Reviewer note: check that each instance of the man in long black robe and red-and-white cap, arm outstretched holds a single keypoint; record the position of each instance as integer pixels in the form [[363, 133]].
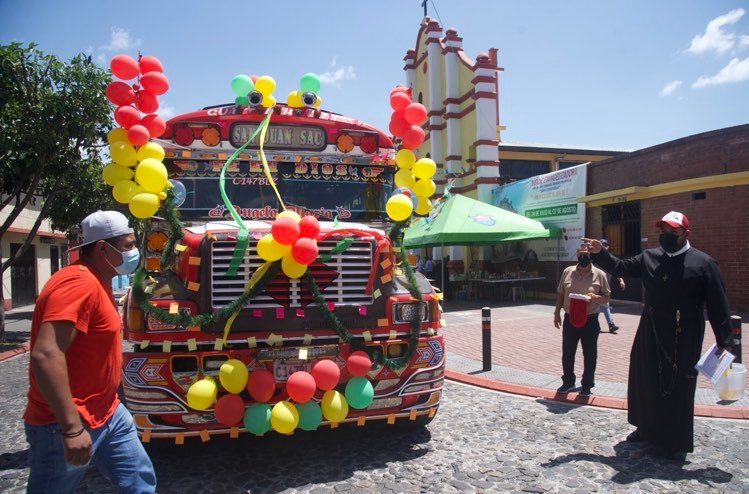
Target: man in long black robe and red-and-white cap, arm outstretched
[[680, 282]]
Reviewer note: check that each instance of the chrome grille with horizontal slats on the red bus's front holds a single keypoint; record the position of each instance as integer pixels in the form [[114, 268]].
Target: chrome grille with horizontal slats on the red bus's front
[[343, 278]]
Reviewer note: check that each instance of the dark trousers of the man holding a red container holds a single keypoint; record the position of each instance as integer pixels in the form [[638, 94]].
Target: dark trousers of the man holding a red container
[[588, 336]]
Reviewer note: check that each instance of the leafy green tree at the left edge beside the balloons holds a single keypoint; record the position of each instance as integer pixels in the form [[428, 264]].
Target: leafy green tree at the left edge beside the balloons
[[54, 117]]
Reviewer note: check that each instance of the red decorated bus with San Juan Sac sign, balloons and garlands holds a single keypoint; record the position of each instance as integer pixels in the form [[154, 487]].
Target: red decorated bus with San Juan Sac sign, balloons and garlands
[[274, 294]]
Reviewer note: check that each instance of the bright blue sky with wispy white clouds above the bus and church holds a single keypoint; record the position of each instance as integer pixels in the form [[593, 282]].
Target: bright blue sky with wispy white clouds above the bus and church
[[623, 74]]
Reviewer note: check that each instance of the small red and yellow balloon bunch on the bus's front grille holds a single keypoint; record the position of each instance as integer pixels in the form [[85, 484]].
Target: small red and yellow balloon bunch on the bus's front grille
[[293, 239]]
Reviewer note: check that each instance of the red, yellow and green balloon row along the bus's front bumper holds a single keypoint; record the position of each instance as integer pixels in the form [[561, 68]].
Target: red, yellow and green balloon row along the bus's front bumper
[[300, 410]]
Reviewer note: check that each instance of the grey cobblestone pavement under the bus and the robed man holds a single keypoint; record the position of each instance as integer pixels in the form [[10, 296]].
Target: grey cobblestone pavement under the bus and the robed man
[[480, 441]]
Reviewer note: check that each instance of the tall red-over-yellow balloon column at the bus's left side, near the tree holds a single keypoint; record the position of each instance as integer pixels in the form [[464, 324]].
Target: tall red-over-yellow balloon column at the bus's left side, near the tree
[[137, 175]]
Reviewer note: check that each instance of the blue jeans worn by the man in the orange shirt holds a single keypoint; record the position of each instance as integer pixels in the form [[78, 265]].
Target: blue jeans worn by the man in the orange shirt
[[117, 452]]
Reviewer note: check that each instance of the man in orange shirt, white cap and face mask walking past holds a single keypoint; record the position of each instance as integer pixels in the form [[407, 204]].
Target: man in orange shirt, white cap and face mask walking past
[[73, 414]]
